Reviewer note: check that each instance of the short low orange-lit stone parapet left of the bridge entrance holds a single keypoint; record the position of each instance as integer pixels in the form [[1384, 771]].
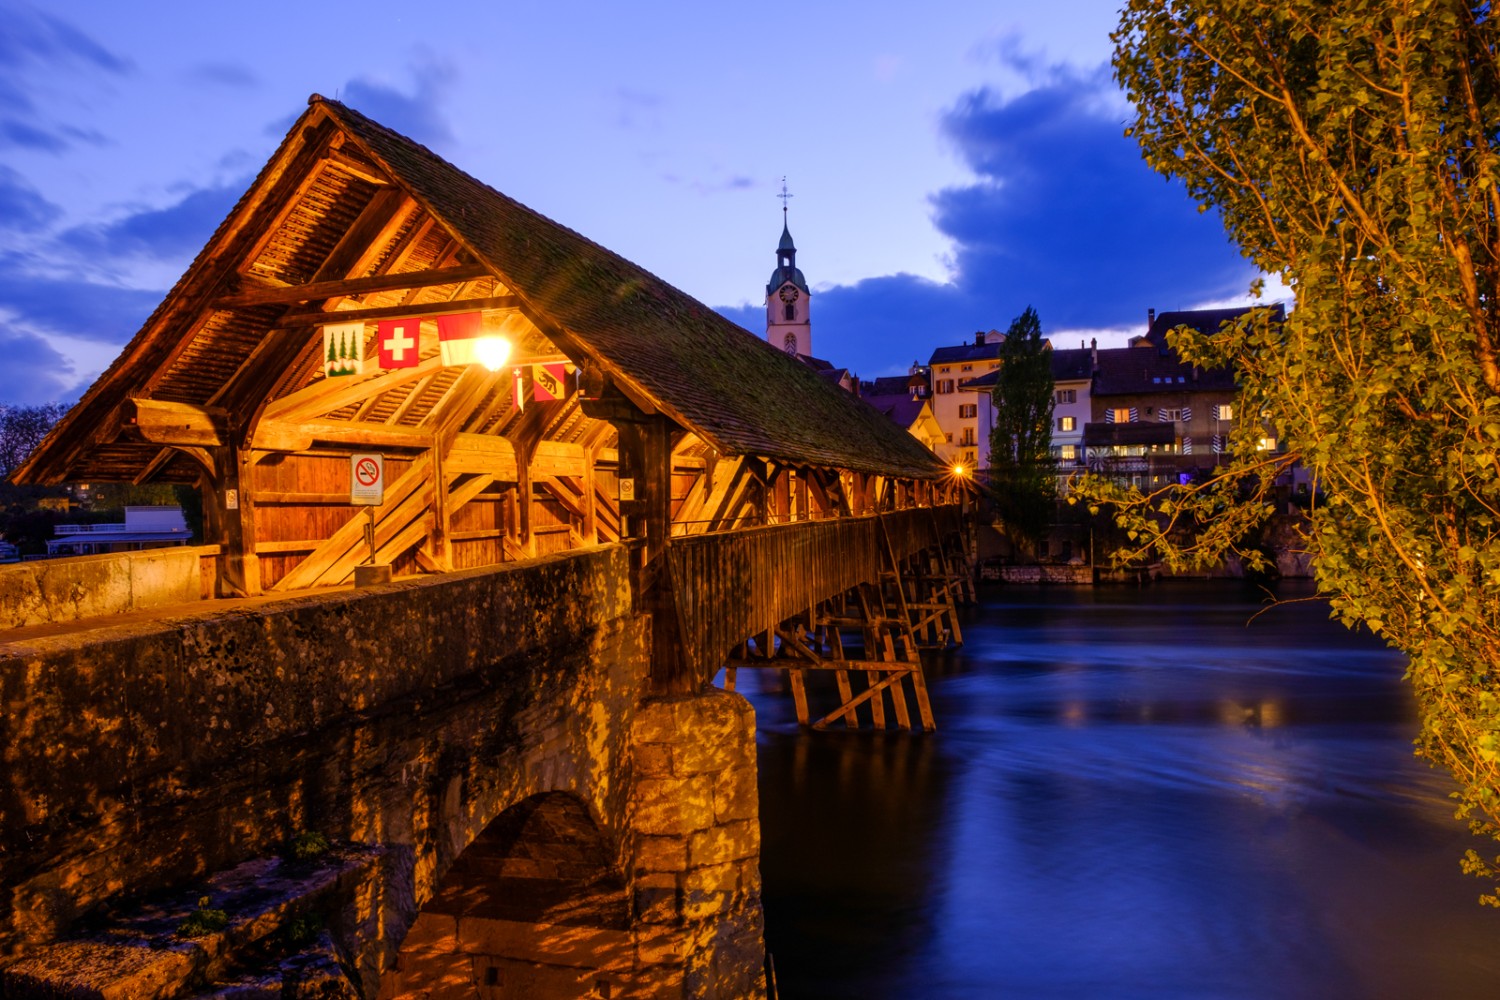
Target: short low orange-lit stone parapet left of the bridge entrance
[[88, 587]]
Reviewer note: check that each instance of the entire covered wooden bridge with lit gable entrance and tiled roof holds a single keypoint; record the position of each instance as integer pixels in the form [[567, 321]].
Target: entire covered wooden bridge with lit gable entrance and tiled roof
[[337, 313]]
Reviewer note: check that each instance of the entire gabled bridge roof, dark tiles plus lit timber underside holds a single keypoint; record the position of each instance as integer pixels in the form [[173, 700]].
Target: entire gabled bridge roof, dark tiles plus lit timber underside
[[350, 220]]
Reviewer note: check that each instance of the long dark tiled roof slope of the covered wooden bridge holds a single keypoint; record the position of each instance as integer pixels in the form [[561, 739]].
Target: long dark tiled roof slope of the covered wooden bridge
[[727, 385]]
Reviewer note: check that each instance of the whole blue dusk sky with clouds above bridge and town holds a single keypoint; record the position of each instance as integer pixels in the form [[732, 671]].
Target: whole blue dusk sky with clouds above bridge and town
[[950, 164]]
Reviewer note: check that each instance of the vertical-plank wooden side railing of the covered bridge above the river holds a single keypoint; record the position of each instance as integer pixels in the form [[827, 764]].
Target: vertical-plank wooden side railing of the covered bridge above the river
[[736, 584]]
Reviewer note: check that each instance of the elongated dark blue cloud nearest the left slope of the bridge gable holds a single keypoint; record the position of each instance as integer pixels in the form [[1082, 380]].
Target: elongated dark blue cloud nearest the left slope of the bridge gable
[[173, 233]]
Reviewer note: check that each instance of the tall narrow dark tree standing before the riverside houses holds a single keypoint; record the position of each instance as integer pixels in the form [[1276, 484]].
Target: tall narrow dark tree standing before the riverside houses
[[1021, 460]]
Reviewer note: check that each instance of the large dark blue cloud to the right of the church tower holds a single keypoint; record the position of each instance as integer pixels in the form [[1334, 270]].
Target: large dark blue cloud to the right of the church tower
[[1063, 215]]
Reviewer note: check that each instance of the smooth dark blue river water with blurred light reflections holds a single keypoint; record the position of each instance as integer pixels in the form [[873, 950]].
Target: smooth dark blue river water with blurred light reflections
[[1132, 794]]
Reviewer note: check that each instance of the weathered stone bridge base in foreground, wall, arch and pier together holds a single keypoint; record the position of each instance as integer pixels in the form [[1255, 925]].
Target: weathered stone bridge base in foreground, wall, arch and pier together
[[511, 812]]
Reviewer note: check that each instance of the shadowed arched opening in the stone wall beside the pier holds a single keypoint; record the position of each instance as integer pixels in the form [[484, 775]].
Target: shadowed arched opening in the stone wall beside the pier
[[533, 908]]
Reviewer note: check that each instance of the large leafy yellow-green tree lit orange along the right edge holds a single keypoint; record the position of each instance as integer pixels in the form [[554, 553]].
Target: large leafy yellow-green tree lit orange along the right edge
[[1354, 149]]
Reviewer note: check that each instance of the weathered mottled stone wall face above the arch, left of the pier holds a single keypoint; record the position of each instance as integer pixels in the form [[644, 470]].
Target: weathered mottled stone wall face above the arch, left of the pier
[[409, 716]]
